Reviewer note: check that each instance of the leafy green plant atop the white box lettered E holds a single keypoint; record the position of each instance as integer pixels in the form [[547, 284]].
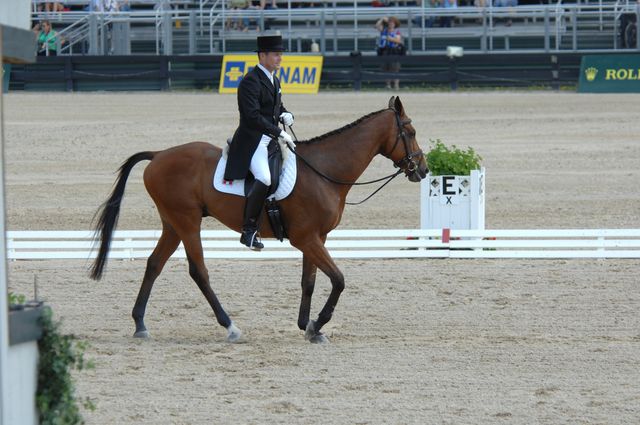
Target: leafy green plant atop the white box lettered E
[[443, 160]]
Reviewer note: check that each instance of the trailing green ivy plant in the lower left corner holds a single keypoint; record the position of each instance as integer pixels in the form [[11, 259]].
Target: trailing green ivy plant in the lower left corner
[[59, 354]]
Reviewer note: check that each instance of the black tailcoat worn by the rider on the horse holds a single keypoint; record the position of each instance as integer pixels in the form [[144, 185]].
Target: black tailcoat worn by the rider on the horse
[[260, 106]]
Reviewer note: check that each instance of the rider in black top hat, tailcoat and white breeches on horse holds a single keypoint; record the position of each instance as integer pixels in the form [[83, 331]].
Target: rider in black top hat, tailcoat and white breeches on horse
[[260, 106]]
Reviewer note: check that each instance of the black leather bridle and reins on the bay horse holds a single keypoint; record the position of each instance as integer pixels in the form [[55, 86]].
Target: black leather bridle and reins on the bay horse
[[411, 164]]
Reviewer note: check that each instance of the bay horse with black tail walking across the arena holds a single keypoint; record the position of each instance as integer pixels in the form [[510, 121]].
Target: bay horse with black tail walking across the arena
[[179, 180]]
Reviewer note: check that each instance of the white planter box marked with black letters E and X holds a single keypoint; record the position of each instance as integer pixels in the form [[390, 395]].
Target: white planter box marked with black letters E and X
[[452, 202]]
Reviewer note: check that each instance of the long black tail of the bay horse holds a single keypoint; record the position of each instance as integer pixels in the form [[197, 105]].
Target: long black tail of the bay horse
[[110, 210]]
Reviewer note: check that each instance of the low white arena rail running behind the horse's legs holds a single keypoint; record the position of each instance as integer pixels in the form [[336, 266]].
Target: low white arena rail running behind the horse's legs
[[401, 243]]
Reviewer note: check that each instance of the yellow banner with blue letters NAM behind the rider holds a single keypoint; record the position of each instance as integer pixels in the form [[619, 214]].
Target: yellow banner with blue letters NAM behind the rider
[[297, 74]]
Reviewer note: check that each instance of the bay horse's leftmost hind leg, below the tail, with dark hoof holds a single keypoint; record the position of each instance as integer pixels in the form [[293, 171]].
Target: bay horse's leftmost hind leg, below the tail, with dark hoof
[[166, 246]]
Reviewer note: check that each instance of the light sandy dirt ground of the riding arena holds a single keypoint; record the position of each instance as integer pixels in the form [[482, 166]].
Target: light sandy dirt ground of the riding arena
[[412, 341]]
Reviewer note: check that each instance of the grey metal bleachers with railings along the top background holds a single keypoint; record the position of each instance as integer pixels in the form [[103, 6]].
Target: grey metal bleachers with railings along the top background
[[338, 27]]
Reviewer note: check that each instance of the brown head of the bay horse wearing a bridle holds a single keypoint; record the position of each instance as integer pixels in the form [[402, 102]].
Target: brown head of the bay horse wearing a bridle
[[403, 149]]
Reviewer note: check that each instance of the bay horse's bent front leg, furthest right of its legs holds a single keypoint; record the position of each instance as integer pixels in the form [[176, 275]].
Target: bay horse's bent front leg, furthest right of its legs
[[319, 255]]
